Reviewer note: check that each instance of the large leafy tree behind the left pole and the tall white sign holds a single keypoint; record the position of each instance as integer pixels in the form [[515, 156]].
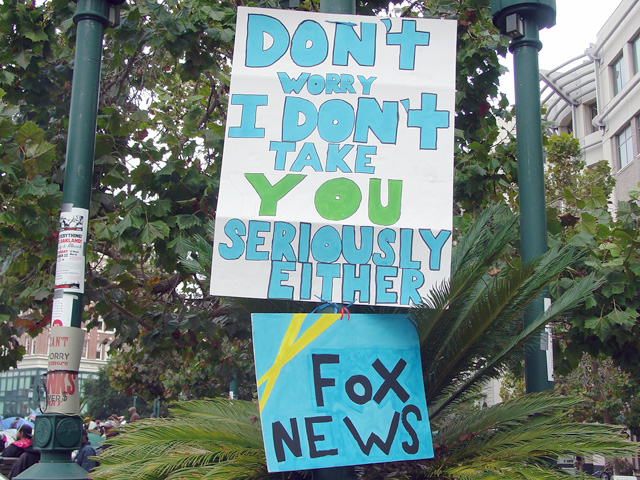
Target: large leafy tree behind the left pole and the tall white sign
[[163, 97]]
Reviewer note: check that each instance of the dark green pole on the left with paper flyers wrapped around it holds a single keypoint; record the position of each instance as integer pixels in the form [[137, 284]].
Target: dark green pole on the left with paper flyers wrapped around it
[[58, 433]]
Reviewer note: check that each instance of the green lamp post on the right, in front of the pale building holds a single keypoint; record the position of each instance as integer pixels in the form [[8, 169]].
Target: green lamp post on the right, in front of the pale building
[[522, 20]]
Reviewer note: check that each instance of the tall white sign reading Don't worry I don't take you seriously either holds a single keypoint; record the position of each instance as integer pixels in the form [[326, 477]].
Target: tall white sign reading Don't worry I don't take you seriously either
[[337, 175]]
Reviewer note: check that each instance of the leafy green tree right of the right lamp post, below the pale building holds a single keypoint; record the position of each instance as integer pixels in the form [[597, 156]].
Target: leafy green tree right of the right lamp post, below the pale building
[[579, 214]]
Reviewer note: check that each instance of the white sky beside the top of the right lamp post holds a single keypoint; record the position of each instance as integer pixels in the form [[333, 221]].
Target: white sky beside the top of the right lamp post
[[577, 24]]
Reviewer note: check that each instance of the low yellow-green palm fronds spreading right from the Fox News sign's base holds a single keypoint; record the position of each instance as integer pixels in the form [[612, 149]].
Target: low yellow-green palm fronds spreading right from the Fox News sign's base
[[519, 439]]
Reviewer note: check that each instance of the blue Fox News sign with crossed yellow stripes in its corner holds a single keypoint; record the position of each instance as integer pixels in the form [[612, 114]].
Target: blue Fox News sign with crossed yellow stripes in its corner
[[338, 390]]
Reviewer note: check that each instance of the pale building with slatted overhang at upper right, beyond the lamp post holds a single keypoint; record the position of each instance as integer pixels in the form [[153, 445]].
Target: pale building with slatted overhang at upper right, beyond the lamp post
[[596, 97]]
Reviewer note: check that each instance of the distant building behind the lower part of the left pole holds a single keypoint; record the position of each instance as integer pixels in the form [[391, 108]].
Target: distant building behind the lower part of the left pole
[[21, 388]]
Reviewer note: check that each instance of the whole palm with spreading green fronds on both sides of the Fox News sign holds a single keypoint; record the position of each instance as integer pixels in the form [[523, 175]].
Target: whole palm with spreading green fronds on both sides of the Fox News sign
[[470, 330]]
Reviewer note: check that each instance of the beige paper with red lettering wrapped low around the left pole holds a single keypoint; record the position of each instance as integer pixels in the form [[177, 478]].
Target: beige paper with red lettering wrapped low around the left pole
[[65, 351]]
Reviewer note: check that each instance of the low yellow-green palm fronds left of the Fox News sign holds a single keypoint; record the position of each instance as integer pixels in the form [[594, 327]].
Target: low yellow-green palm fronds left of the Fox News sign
[[211, 434]]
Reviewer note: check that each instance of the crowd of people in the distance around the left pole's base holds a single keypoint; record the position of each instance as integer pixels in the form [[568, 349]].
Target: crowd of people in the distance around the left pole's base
[[21, 446]]
